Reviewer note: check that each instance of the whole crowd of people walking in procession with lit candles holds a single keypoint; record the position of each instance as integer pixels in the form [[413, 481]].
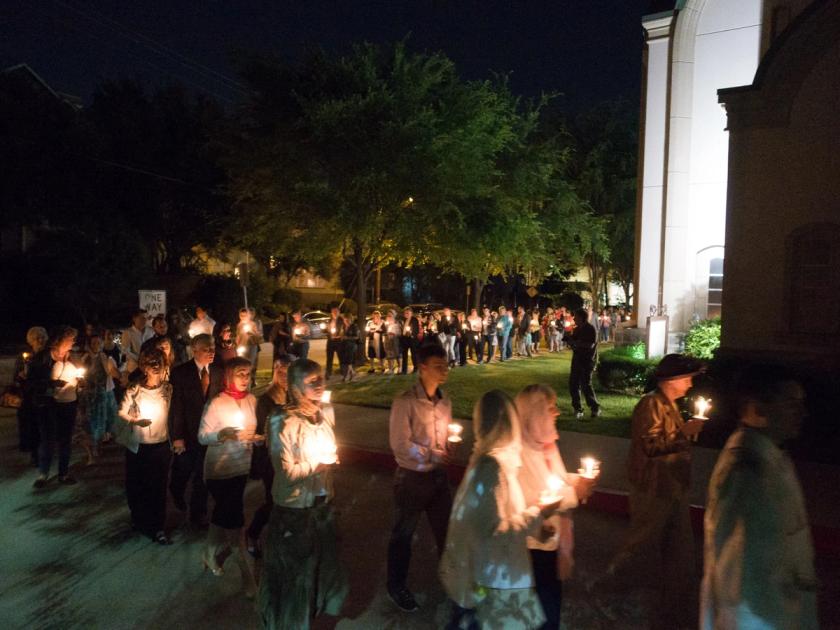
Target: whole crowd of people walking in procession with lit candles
[[504, 539]]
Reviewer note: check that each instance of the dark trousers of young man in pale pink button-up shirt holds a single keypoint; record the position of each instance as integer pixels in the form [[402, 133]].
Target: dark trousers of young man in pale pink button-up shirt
[[414, 494]]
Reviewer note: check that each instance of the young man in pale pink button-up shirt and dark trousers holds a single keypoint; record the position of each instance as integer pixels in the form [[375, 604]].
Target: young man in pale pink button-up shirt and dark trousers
[[418, 432]]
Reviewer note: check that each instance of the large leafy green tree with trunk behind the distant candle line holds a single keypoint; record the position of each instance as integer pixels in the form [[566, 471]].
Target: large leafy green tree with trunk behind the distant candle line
[[372, 156]]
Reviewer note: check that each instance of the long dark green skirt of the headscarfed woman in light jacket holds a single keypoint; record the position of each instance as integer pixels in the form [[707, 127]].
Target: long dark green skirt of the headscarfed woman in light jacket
[[301, 576]]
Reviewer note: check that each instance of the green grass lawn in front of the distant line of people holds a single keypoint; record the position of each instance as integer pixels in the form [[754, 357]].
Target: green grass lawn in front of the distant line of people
[[467, 384]]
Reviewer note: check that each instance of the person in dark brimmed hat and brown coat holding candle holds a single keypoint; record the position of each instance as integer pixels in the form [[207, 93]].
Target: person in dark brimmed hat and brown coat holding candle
[[659, 466]]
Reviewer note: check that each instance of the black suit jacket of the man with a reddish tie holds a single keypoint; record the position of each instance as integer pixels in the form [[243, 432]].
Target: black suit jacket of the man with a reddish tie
[[188, 400]]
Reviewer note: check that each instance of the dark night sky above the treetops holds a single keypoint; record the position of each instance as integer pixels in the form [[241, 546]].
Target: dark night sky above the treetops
[[590, 50]]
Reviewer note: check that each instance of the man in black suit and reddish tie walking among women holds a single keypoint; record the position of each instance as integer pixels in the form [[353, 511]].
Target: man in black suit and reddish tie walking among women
[[194, 383]]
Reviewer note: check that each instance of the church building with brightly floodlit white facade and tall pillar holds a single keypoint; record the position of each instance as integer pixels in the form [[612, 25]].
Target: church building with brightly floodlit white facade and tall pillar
[[738, 211]]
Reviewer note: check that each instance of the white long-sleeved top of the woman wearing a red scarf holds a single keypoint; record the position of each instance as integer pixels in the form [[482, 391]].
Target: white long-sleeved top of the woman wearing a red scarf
[[230, 458]]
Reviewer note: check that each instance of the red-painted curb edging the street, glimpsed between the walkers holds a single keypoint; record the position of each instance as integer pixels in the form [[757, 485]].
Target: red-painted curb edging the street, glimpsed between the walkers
[[826, 539]]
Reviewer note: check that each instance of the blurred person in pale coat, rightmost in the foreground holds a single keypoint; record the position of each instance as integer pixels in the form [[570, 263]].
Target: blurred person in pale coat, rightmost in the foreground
[[759, 556]]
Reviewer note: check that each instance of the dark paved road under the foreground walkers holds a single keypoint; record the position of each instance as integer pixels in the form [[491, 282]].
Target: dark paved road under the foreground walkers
[[69, 559]]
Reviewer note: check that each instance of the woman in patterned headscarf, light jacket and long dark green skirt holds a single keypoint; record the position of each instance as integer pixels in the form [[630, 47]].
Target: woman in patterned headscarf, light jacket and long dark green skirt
[[301, 574]]
